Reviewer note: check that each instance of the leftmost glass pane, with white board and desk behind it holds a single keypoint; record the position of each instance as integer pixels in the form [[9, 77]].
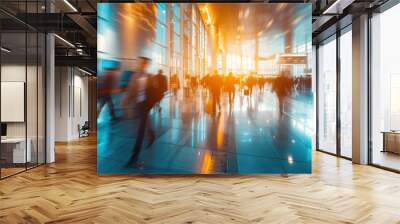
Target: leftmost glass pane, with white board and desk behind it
[[14, 153]]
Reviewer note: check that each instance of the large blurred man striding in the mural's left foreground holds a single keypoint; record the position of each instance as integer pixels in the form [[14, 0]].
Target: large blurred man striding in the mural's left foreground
[[139, 93]]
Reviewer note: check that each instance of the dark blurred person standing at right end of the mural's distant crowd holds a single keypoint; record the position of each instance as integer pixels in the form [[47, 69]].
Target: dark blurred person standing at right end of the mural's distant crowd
[[282, 86]]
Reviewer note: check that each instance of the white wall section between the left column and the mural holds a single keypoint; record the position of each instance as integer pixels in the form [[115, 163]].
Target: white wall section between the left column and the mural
[[71, 94]]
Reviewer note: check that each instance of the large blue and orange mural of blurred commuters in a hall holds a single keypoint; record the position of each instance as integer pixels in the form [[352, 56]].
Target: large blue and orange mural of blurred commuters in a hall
[[204, 88]]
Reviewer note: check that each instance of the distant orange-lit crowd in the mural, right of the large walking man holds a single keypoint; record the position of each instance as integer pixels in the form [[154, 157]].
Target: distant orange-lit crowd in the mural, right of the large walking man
[[217, 84]]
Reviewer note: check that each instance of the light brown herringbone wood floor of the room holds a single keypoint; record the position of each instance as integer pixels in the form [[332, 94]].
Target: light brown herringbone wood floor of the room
[[70, 191]]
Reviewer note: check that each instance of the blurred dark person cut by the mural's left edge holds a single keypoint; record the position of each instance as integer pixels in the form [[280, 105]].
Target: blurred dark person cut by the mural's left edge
[[105, 89]]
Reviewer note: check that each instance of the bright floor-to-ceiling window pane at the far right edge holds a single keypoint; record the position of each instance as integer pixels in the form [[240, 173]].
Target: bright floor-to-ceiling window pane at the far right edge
[[385, 88]]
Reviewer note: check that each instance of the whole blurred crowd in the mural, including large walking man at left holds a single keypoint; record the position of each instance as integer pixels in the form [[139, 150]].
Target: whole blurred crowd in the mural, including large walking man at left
[[143, 92]]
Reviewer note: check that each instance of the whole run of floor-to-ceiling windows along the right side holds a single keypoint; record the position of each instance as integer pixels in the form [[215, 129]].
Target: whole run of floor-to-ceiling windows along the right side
[[383, 89]]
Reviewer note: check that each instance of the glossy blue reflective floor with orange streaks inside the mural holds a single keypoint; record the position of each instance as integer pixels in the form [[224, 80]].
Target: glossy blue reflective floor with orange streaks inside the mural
[[248, 137]]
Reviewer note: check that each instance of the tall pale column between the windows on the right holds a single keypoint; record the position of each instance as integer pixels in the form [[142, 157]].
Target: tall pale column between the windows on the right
[[360, 90]]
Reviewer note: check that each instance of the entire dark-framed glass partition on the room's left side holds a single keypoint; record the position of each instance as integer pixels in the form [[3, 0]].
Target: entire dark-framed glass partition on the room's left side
[[22, 88]]
